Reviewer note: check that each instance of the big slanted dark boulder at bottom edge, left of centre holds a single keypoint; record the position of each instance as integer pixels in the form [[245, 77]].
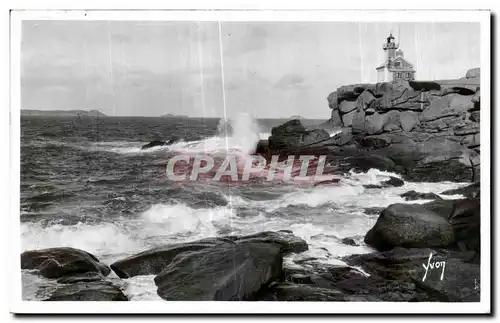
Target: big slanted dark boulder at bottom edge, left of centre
[[228, 272]]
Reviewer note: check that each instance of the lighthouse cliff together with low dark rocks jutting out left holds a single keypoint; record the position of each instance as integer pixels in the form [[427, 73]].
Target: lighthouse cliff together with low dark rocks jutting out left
[[427, 131]]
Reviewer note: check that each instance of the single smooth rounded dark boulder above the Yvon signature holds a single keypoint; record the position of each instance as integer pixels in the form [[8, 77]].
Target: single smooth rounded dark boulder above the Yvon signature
[[409, 226]]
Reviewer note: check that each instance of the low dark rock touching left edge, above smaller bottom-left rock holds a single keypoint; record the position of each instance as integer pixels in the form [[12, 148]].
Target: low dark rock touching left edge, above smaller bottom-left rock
[[58, 262]]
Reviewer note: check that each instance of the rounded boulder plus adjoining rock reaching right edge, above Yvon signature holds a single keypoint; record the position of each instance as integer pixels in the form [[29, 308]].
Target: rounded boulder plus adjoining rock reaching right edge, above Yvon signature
[[452, 224]]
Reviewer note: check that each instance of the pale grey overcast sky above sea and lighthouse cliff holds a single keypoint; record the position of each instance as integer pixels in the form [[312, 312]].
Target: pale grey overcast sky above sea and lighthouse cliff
[[270, 69]]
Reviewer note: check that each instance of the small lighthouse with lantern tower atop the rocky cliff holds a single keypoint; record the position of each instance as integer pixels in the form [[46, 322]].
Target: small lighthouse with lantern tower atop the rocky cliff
[[395, 66]]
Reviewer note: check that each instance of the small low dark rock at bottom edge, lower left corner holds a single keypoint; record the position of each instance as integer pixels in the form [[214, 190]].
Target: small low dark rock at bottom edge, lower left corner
[[88, 291]]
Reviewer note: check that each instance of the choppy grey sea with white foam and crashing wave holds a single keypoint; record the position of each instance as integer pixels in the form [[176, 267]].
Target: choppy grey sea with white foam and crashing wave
[[86, 183]]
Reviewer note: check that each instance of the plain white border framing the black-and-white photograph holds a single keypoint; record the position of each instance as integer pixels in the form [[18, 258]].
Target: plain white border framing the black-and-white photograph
[[19, 306]]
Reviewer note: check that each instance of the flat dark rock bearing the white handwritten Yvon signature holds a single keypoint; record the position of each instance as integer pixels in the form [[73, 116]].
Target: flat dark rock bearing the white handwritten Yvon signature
[[402, 267]]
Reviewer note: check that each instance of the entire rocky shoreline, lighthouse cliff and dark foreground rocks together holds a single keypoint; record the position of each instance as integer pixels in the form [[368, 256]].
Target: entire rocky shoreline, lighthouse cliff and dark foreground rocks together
[[426, 131]]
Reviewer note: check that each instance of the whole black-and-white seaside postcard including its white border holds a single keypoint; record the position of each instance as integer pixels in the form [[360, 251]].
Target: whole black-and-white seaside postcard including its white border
[[269, 159]]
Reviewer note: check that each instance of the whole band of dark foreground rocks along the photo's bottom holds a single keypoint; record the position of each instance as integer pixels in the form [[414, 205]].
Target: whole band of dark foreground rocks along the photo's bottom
[[442, 235]]
